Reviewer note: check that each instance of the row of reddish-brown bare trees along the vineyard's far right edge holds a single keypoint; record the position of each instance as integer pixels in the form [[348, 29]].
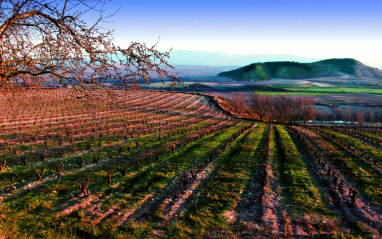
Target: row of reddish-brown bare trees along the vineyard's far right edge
[[292, 109]]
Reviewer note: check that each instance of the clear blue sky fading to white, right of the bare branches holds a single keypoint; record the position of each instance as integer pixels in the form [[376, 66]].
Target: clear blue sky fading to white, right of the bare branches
[[308, 28]]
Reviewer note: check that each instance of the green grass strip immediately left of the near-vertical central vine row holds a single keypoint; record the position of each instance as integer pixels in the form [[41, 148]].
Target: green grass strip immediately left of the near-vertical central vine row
[[221, 192]]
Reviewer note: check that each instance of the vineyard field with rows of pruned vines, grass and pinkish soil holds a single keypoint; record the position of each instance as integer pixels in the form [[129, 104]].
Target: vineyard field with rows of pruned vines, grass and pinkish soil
[[137, 164]]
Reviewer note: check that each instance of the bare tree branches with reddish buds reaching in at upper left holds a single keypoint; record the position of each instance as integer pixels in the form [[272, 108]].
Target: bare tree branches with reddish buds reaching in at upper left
[[48, 40]]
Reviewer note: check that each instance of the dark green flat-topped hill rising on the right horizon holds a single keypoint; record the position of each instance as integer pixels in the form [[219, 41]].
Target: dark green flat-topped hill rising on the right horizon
[[297, 70]]
